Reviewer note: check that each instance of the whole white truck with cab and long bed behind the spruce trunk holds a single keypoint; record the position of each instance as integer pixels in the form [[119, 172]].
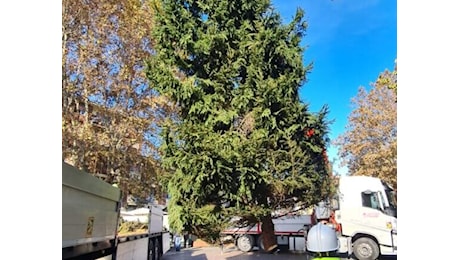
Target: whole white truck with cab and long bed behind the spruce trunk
[[363, 213]]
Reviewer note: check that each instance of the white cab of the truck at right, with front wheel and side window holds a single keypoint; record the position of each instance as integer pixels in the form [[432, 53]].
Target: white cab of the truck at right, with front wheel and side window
[[365, 209]]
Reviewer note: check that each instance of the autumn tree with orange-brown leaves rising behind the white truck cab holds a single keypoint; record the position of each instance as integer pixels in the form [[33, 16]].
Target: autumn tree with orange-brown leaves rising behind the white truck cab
[[368, 146]]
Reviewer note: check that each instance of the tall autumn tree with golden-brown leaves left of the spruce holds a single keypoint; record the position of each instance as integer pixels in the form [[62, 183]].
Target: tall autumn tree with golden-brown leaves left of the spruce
[[109, 114]]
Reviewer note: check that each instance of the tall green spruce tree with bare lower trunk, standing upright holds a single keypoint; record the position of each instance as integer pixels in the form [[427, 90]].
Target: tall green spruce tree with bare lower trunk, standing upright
[[244, 143]]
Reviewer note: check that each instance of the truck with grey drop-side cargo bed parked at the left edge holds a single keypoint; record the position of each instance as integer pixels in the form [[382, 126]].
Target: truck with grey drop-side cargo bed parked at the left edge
[[91, 218]]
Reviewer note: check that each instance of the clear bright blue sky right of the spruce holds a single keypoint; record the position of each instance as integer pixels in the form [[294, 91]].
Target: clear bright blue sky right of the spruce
[[349, 42]]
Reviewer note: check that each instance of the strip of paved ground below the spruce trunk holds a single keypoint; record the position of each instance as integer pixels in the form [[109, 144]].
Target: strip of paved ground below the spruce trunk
[[215, 253]]
